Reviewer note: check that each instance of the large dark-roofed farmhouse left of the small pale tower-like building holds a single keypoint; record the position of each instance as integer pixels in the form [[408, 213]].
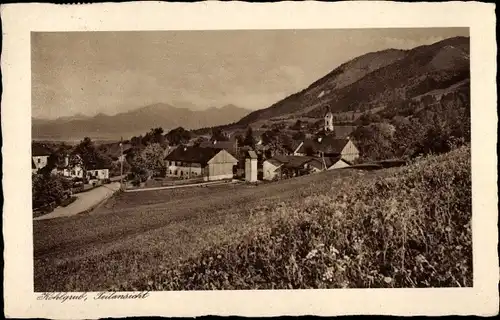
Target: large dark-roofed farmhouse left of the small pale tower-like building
[[195, 161]]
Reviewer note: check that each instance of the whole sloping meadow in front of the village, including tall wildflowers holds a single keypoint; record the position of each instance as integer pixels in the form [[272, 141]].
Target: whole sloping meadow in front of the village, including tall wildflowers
[[400, 227]]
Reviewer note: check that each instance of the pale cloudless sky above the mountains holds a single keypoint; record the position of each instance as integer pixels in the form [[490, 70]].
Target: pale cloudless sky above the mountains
[[111, 72]]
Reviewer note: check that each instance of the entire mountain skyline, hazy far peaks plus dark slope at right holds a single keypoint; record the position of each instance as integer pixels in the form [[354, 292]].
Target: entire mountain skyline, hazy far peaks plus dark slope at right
[[373, 81]]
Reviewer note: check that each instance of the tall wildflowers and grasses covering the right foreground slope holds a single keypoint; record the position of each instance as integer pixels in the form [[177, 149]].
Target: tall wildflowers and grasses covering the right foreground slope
[[411, 228]]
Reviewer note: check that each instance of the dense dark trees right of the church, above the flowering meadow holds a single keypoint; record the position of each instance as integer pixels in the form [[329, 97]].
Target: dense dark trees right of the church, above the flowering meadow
[[436, 128]]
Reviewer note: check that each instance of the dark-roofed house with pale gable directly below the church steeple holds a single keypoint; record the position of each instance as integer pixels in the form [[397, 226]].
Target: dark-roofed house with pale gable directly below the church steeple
[[330, 147]]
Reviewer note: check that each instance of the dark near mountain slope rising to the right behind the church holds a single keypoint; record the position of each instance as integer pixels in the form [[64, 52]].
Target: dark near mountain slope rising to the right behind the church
[[378, 79]]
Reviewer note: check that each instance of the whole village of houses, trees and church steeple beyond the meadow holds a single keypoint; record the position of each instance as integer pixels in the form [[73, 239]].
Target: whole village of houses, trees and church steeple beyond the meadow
[[196, 162]]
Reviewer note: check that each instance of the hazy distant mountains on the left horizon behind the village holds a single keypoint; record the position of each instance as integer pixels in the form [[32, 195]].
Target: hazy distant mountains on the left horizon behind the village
[[135, 122]]
